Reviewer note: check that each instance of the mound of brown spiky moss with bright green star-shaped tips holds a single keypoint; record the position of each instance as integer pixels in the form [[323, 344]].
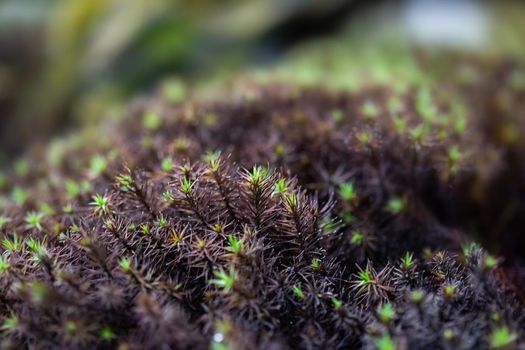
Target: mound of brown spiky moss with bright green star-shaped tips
[[280, 218]]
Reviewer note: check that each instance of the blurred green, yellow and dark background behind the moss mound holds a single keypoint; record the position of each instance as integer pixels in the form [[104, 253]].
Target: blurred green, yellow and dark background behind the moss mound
[[67, 63]]
